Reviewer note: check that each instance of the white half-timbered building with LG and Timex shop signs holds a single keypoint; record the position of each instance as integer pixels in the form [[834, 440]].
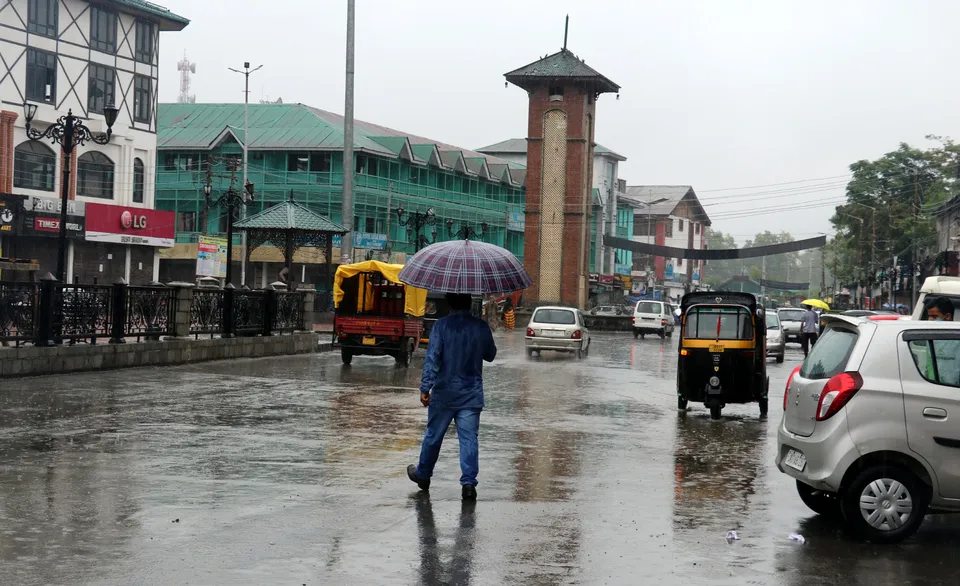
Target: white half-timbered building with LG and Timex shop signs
[[77, 56]]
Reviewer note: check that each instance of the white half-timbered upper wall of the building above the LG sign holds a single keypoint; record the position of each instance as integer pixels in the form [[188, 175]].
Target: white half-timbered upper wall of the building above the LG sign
[[131, 139]]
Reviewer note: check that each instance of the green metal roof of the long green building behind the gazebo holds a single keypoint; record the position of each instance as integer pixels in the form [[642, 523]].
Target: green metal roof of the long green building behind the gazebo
[[287, 127]]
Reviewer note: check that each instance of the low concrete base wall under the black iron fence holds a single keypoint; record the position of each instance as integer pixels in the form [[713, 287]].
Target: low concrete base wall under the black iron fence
[[38, 361]]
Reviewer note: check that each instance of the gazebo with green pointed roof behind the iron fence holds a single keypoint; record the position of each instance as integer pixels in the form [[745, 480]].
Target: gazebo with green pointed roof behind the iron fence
[[290, 226]]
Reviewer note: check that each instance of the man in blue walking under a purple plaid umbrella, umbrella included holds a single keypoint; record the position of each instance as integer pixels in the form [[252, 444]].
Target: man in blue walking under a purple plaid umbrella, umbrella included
[[451, 387]]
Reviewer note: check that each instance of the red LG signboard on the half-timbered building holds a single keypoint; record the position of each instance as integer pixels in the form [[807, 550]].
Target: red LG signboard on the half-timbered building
[[125, 225]]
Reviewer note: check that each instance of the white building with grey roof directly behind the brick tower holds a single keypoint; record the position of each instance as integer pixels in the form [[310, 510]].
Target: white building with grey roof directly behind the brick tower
[[607, 187]]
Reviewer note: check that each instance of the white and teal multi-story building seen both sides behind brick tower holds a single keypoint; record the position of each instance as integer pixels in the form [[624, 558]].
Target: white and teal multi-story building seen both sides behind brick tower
[[608, 209]]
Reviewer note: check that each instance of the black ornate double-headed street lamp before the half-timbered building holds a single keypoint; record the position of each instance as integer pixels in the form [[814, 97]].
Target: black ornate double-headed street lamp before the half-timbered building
[[68, 132]]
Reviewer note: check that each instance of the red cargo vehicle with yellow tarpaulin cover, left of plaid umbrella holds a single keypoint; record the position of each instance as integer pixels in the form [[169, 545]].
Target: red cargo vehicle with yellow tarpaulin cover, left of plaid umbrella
[[375, 314]]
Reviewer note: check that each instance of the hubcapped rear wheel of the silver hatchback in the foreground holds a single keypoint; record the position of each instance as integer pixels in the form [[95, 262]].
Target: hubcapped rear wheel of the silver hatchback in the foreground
[[884, 504]]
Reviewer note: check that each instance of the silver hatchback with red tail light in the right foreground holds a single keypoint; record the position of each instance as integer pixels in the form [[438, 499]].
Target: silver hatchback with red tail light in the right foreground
[[866, 428]]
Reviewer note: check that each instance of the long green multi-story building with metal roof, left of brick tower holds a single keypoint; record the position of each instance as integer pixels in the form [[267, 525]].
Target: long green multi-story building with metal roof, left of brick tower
[[297, 151]]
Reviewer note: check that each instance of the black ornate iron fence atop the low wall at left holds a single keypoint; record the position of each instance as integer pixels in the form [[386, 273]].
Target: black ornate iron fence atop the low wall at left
[[48, 312]]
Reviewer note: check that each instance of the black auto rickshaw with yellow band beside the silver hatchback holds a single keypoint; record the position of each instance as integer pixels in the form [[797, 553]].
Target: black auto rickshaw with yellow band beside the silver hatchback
[[722, 351]]
